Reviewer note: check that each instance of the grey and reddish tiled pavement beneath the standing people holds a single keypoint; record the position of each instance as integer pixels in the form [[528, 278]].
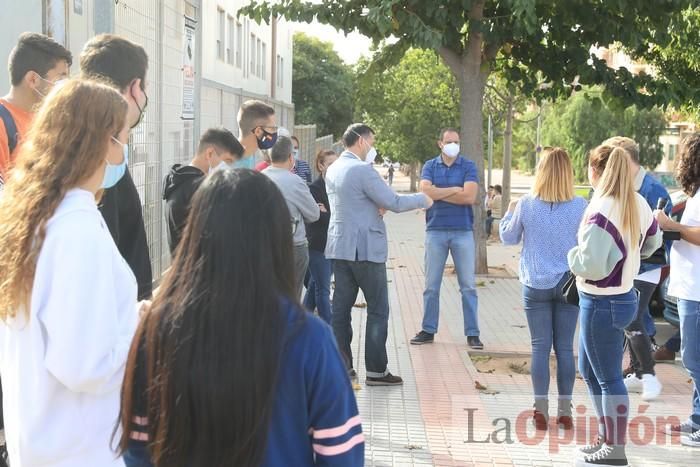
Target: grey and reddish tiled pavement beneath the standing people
[[439, 418]]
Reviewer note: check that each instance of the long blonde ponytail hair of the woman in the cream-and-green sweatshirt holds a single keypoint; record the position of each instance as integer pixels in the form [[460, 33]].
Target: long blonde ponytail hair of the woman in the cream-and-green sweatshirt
[[614, 166]]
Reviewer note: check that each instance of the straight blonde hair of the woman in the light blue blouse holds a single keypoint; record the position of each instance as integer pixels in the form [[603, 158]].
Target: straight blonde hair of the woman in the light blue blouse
[[554, 180]]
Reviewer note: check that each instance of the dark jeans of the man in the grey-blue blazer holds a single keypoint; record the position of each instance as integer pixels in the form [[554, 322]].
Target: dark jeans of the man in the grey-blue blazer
[[350, 277]]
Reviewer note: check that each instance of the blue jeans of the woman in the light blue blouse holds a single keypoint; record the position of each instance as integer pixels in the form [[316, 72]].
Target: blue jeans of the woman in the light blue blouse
[[552, 322]]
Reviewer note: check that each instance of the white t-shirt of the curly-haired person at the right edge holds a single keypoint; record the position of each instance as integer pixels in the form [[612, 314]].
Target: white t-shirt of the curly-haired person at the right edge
[[685, 258]]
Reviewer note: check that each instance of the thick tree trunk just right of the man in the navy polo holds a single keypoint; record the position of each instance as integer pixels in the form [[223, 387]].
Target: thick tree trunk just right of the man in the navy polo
[[472, 98]]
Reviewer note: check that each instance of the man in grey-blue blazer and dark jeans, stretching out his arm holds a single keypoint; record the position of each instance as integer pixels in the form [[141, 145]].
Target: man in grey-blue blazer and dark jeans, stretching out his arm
[[357, 244]]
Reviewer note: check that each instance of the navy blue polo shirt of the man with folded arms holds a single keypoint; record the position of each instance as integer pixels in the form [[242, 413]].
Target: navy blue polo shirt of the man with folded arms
[[444, 215]]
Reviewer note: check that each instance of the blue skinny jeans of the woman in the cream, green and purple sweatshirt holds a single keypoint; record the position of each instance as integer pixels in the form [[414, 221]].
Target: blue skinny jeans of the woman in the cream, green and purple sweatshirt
[[603, 319]]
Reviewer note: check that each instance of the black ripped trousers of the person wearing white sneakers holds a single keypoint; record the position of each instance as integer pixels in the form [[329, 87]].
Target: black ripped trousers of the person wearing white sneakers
[[641, 357]]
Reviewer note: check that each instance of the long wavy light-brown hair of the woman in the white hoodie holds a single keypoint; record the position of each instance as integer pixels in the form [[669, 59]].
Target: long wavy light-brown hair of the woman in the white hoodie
[[67, 144]]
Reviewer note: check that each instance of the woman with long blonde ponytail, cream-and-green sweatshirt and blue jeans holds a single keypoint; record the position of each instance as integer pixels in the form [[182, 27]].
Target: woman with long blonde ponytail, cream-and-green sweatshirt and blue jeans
[[618, 230]]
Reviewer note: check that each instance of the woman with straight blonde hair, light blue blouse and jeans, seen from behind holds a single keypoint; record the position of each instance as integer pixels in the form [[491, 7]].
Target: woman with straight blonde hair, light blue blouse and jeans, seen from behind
[[546, 221]]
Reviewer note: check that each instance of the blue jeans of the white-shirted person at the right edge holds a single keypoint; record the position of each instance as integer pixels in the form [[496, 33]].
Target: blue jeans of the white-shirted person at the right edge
[[689, 314]]
